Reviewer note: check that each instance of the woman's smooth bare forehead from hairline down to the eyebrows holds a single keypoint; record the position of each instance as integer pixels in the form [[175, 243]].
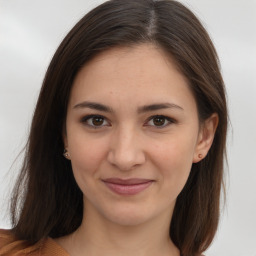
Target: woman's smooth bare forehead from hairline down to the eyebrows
[[139, 74]]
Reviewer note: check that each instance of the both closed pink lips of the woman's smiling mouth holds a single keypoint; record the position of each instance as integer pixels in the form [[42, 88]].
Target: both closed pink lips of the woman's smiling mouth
[[127, 187]]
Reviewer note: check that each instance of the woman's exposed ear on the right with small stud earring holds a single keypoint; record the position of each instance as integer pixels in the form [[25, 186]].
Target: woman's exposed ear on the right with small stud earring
[[205, 137]]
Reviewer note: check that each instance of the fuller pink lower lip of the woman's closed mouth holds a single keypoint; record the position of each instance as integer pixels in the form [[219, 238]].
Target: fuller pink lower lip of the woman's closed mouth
[[131, 189]]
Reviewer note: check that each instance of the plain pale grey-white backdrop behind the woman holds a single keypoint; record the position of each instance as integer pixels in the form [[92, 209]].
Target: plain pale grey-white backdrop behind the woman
[[30, 32]]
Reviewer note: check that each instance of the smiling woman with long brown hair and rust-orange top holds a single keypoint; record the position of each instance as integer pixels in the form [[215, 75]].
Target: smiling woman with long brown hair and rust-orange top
[[126, 148]]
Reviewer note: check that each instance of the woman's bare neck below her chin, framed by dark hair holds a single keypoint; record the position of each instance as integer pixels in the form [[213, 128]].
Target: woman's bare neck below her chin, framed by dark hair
[[97, 235]]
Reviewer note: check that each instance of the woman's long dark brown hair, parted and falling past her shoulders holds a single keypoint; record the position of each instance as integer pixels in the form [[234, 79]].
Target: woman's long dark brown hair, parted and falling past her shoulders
[[46, 199]]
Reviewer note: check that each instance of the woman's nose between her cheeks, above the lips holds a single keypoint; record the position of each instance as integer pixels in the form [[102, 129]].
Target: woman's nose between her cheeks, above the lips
[[126, 150]]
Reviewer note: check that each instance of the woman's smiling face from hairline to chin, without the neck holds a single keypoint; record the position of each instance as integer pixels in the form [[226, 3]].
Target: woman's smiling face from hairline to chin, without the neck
[[132, 133]]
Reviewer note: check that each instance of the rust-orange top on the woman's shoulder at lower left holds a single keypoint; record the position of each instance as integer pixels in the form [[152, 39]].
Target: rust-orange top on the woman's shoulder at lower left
[[10, 246]]
